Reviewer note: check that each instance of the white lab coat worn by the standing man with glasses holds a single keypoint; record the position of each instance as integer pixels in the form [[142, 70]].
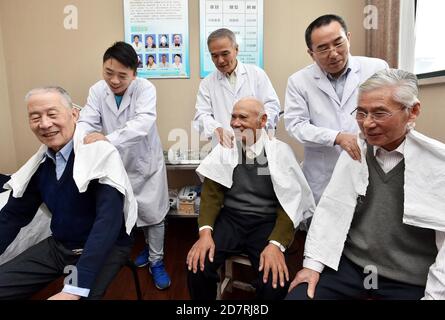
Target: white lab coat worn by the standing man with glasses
[[314, 115]]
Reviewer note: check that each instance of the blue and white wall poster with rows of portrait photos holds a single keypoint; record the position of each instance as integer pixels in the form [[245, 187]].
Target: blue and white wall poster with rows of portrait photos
[[158, 31]]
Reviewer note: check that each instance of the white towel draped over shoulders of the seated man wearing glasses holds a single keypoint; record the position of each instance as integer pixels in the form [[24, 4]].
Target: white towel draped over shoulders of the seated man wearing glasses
[[424, 205]]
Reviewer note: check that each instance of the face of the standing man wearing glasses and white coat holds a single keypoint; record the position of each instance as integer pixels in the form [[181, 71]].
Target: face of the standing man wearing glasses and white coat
[[328, 37]]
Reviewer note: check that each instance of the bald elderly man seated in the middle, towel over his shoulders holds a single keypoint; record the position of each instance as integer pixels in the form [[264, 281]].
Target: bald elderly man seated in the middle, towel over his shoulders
[[254, 196]]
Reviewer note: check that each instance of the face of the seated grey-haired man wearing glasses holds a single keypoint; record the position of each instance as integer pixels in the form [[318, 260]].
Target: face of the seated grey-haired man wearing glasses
[[391, 132]]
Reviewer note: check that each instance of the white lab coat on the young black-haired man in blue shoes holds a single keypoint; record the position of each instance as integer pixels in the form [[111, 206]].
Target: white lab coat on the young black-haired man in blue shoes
[[132, 130]]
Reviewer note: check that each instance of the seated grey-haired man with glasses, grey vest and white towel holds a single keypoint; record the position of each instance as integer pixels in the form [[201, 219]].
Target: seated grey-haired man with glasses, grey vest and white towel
[[378, 222]]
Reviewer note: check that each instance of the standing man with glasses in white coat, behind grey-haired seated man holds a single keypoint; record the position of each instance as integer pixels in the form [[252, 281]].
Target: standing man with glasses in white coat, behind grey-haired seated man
[[320, 98]]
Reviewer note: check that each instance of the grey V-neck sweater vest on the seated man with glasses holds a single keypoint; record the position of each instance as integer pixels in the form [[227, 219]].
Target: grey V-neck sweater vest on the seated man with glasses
[[378, 236]]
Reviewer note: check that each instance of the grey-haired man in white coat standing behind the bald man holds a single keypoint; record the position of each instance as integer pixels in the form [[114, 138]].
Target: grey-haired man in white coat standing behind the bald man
[[232, 80]]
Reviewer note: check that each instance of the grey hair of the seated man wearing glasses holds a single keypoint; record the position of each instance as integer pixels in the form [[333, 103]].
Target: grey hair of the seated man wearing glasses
[[404, 82]]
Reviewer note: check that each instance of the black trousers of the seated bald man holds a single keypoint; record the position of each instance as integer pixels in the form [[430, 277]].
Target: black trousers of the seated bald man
[[236, 233]]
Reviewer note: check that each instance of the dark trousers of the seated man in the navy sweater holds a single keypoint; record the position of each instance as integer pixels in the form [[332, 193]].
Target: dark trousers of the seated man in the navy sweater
[[36, 267]]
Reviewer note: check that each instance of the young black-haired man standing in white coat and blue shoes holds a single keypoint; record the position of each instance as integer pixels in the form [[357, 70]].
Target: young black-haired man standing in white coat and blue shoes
[[121, 109]]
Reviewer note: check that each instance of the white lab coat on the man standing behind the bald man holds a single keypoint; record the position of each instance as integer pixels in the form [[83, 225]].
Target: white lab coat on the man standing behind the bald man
[[216, 97]]
